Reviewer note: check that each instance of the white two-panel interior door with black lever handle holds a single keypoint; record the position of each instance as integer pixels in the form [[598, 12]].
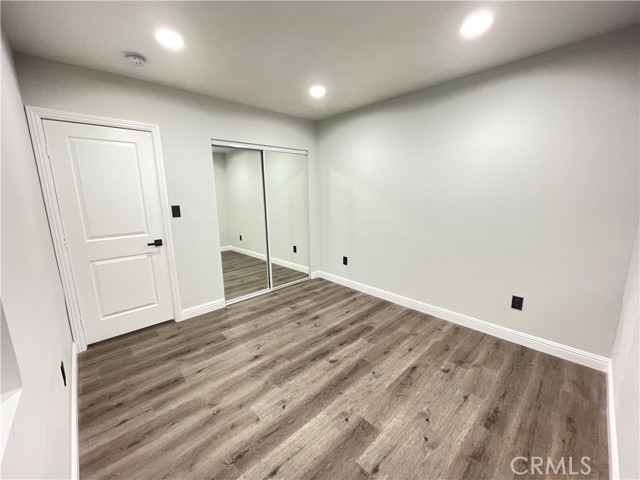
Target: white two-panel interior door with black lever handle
[[106, 186]]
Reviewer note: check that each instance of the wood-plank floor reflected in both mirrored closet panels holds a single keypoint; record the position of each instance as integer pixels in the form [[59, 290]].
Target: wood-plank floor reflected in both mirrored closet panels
[[244, 274]]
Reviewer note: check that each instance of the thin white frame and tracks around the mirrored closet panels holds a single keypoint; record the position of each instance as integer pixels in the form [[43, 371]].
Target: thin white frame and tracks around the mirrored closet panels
[[263, 149]]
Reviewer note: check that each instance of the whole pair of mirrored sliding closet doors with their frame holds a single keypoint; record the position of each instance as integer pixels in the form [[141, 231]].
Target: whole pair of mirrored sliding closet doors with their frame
[[262, 201]]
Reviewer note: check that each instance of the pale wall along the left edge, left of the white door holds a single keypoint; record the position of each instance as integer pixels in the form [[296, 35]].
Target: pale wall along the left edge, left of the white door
[[39, 444]]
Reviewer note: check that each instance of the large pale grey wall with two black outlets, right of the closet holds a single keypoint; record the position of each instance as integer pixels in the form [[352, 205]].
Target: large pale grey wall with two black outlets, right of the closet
[[522, 180]]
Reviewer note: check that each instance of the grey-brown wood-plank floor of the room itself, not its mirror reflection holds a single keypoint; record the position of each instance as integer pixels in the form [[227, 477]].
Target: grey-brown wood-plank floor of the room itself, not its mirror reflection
[[320, 381]]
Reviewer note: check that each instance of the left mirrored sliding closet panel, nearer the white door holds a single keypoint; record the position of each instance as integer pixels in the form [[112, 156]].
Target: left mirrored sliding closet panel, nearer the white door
[[241, 217]]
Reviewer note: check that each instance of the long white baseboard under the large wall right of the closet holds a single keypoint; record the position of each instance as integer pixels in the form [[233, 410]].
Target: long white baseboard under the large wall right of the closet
[[565, 352]]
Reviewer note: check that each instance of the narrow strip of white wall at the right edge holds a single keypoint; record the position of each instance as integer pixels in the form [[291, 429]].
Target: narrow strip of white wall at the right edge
[[625, 363]]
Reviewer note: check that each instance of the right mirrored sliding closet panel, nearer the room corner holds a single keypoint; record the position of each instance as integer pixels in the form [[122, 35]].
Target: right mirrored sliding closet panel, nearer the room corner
[[286, 183]]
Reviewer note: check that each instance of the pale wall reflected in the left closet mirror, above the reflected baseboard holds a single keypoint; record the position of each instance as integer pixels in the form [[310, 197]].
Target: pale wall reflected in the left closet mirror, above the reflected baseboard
[[245, 201]]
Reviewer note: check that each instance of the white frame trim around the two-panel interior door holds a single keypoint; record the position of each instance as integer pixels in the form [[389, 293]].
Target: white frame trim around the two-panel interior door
[[35, 117]]
